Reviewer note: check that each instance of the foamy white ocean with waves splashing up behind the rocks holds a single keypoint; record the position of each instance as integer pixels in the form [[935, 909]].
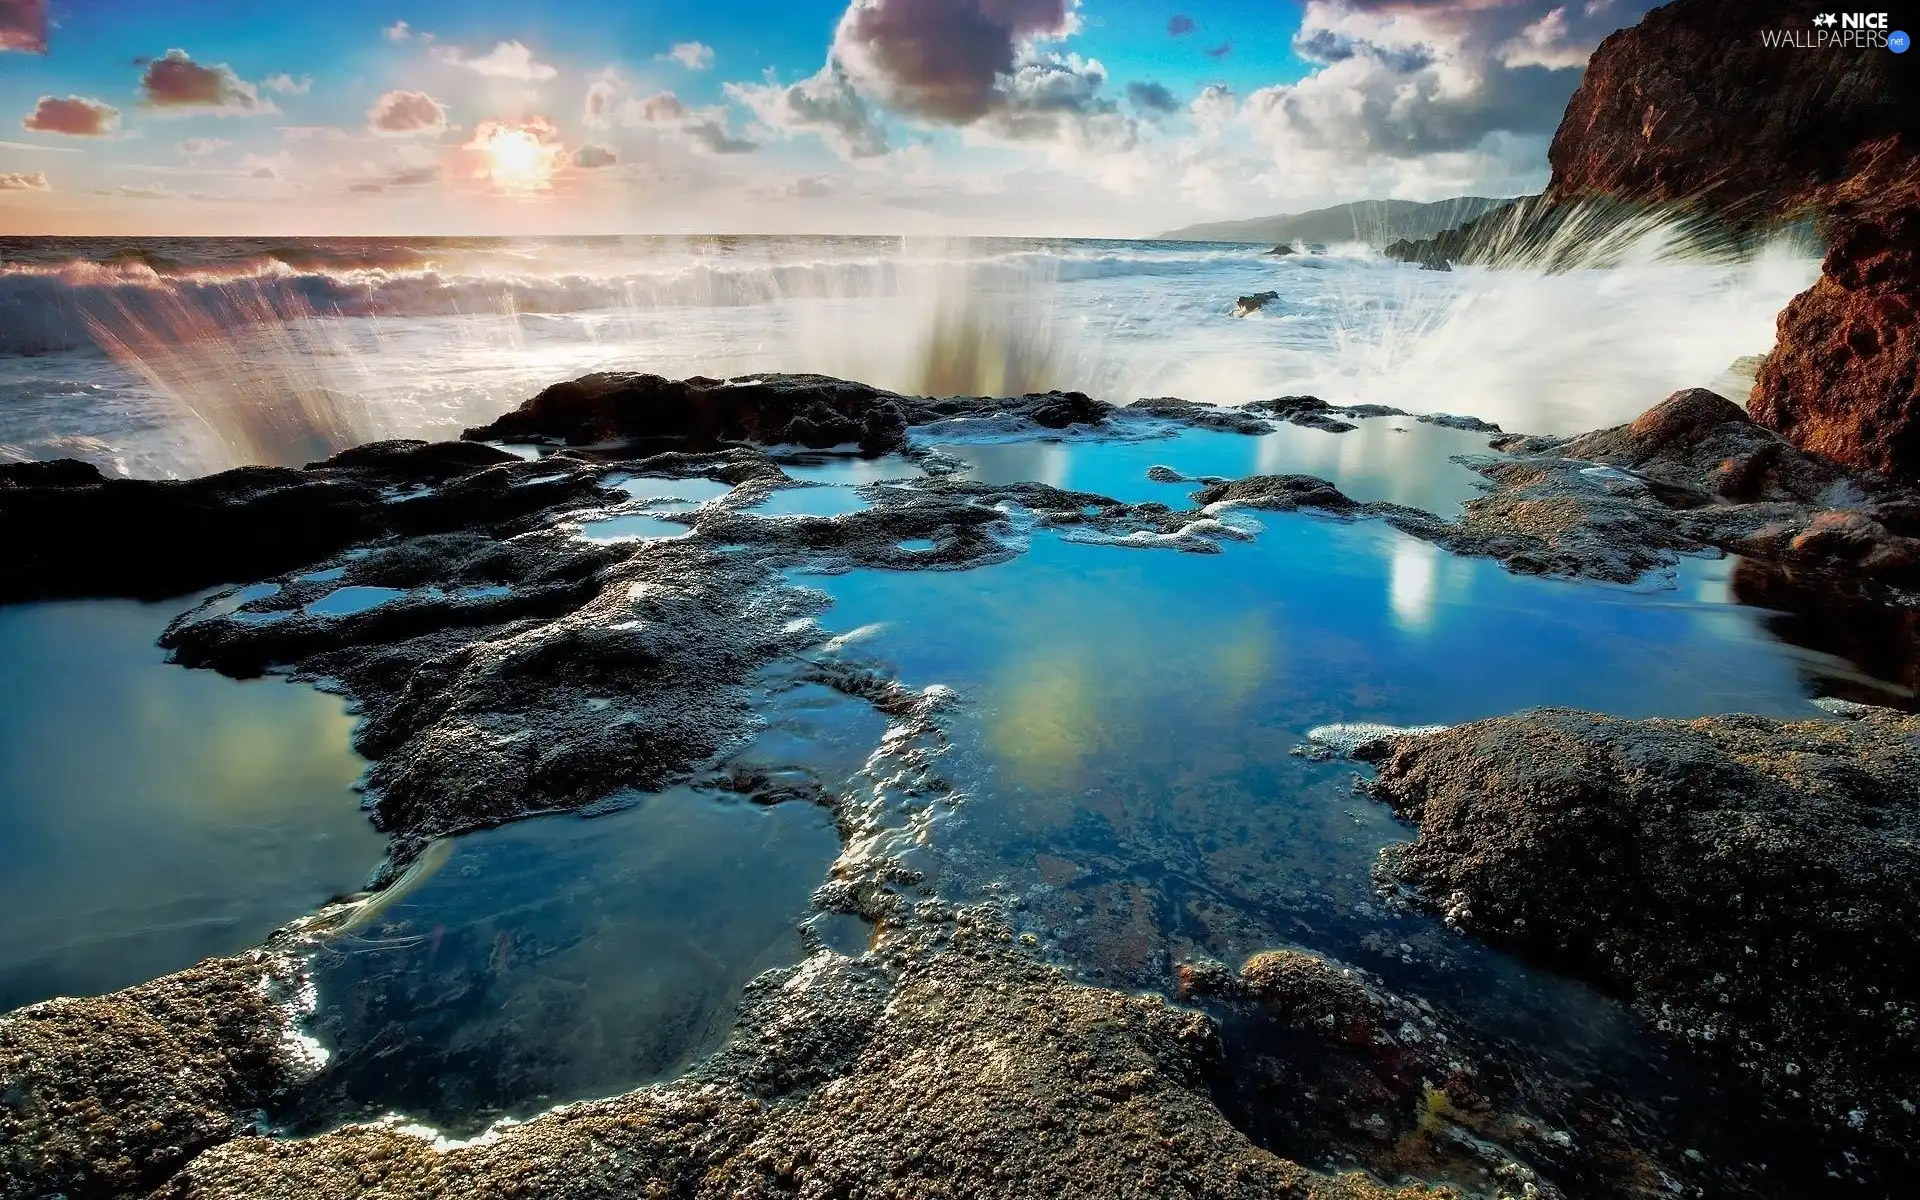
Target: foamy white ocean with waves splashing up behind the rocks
[[180, 356]]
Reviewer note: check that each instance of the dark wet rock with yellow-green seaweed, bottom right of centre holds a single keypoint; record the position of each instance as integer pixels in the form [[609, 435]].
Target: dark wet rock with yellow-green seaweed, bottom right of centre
[[1332, 1067]]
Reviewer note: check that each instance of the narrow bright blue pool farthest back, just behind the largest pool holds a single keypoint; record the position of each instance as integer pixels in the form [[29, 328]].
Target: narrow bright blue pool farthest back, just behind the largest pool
[[1385, 460]]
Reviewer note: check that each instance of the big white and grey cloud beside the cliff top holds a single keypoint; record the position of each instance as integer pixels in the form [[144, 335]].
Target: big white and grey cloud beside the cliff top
[[1412, 78]]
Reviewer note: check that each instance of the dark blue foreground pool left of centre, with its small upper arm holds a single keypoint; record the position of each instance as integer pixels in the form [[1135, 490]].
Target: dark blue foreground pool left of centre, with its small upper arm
[[579, 957]]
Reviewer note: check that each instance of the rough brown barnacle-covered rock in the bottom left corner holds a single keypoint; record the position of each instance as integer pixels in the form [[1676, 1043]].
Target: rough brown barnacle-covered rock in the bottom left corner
[[108, 1097]]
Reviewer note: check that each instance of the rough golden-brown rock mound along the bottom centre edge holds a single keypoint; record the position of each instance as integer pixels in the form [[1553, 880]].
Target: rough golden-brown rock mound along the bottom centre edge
[[982, 1076]]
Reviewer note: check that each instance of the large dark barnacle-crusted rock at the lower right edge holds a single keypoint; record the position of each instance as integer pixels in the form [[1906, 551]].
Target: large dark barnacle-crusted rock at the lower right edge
[[1746, 882]]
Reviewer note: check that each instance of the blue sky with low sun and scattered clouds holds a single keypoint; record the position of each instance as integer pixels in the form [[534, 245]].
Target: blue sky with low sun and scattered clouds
[[1074, 118]]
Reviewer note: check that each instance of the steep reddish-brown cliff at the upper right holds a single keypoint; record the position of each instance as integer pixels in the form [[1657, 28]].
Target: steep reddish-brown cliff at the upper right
[[1691, 107]]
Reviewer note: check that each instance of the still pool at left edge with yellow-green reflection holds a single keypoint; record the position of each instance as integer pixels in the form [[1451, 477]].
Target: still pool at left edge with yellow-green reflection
[[153, 817]]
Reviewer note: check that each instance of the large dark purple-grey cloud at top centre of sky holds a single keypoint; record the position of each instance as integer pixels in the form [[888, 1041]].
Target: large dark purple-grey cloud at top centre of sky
[[944, 60]]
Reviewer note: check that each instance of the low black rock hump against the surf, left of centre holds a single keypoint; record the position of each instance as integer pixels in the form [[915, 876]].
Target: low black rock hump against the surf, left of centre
[[796, 410]]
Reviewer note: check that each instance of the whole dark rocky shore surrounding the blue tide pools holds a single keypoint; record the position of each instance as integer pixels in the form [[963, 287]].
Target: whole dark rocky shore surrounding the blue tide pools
[[479, 686]]
